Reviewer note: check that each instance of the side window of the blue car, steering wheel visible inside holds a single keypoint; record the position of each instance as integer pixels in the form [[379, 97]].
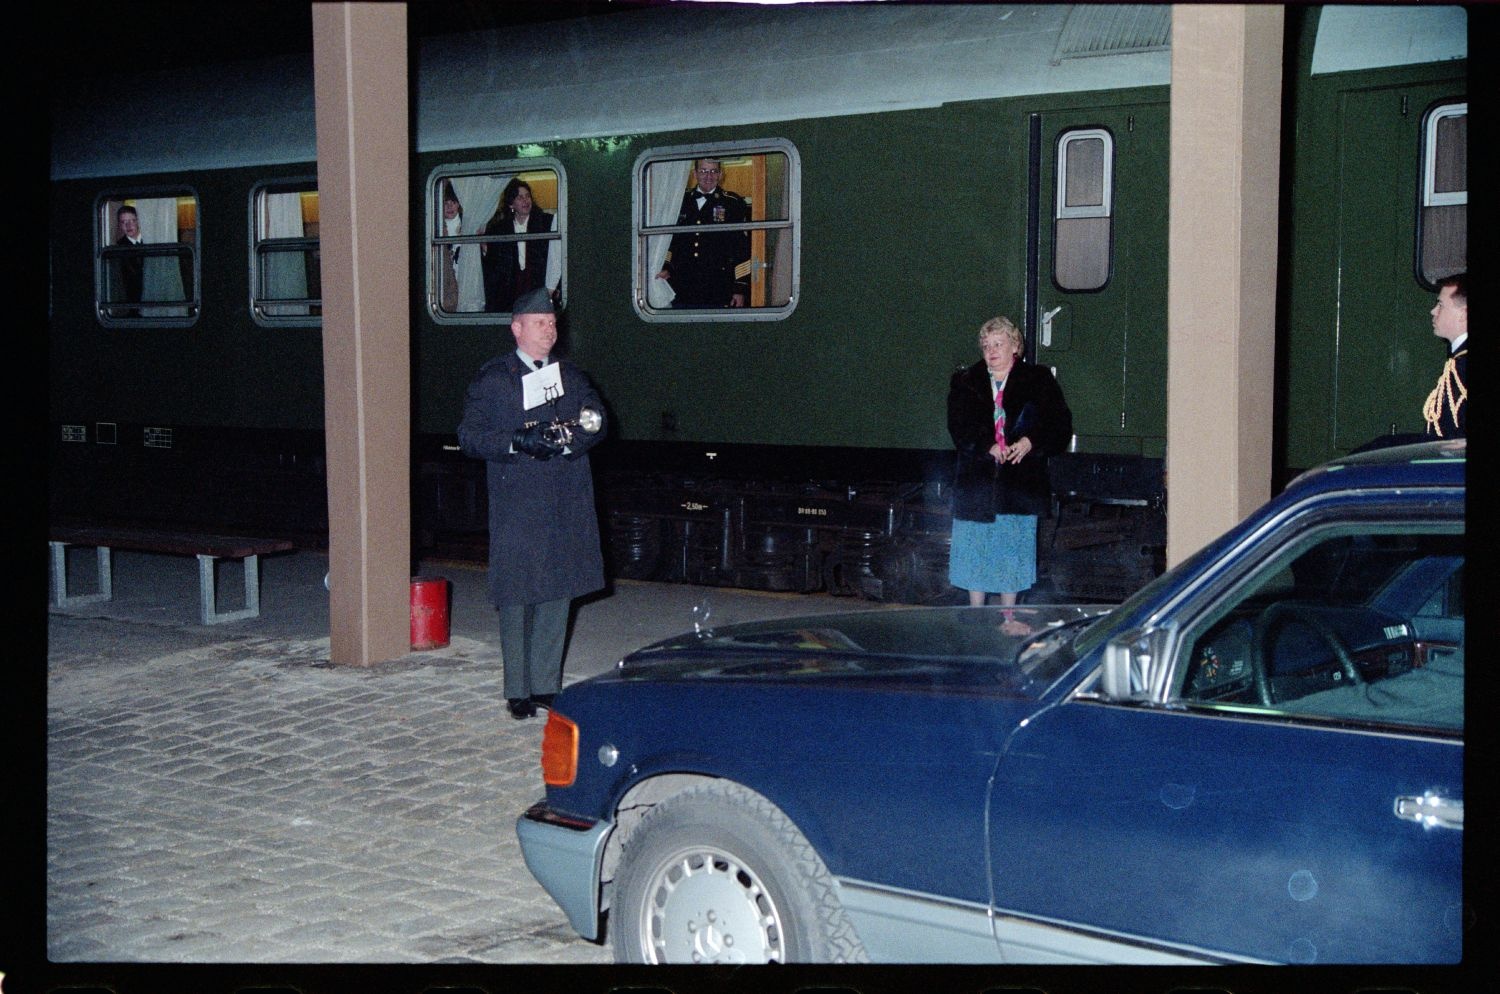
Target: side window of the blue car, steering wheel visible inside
[[1354, 624]]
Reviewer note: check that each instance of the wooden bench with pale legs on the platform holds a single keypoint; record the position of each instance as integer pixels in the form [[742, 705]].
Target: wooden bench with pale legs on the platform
[[208, 548]]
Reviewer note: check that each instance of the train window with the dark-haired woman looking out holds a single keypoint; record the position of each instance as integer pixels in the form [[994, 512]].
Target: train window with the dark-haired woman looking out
[[497, 230]]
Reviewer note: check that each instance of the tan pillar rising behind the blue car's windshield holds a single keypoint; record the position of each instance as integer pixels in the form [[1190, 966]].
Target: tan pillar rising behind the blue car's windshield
[[1222, 301]]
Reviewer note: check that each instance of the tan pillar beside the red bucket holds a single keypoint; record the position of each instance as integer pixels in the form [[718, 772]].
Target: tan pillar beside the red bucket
[[364, 197]]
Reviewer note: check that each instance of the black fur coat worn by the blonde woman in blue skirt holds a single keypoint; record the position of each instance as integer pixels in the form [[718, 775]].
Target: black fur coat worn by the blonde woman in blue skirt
[[1036, 410]]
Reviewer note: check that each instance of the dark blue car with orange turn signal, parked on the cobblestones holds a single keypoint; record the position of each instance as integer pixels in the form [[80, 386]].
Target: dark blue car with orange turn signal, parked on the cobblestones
[[1256, 759]]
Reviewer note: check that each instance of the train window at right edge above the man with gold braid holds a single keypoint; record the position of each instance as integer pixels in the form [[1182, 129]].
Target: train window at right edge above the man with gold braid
[[1444, 224]]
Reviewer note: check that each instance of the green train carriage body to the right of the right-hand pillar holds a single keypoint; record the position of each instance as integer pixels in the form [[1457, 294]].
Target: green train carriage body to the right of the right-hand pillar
[[1357, 353]]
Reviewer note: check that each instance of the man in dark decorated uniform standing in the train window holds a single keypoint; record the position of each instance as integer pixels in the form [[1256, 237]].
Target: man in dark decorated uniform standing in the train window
[[710, 269]]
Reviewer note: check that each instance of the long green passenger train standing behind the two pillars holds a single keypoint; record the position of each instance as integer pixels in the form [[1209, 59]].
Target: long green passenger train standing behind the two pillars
[[910, 172]]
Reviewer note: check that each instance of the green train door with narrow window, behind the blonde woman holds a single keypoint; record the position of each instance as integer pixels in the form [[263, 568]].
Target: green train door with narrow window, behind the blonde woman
[[1097, 271]]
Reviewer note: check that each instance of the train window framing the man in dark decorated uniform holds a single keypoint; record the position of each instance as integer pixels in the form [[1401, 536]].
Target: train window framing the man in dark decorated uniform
[[748, 268]]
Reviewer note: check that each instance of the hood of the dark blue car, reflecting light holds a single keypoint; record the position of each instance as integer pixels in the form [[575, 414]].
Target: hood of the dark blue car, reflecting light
[[1015, 650]]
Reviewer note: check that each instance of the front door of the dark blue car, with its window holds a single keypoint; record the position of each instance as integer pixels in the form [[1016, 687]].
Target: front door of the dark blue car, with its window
[[1264, 810]]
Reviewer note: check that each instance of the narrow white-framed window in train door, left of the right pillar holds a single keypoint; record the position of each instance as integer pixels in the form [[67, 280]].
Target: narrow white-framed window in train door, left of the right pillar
[[1084, 209]]
